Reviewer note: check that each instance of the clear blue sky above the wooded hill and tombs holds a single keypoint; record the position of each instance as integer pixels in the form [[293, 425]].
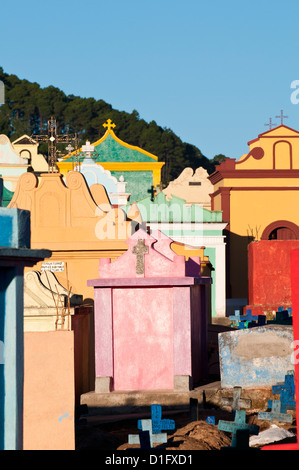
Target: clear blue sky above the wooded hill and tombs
[[213, 72]]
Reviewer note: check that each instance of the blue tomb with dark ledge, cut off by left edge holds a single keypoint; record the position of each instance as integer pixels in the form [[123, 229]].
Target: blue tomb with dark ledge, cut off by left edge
[[15, 255]]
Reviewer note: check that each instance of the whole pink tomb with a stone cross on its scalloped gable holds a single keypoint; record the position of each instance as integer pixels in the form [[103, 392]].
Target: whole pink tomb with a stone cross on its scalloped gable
[[150, 300]]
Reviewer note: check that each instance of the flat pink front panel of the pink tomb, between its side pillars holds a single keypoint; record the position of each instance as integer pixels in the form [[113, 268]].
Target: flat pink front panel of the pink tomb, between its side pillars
[[143, 339]]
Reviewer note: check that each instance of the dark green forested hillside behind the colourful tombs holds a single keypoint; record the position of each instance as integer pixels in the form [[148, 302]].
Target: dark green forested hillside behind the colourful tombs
[[28, 107]]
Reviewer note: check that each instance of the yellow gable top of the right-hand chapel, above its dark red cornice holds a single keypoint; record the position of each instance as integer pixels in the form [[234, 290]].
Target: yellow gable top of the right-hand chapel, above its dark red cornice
[[276, 149]]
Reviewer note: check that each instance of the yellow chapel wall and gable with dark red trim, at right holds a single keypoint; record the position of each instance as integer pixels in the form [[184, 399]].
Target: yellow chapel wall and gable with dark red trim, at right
[[260, 189]]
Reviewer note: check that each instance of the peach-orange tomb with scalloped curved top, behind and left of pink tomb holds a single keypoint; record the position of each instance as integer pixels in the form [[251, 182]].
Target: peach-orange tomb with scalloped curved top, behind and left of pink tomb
[[66, 220]]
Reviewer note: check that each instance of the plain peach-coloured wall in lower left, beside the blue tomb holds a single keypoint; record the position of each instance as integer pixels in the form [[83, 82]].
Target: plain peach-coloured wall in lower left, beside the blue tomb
[[49, 390]]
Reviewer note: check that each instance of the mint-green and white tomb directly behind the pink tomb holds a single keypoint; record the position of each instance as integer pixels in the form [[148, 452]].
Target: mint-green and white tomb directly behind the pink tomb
[[192, 228]]
